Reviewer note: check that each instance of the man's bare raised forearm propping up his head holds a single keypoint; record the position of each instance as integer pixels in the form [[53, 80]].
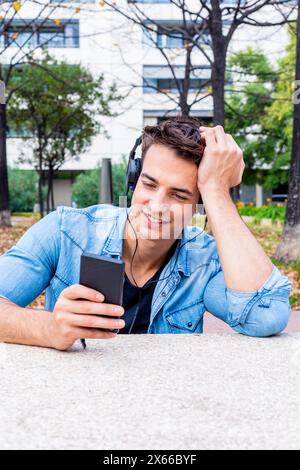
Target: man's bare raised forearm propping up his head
[[244, 263]]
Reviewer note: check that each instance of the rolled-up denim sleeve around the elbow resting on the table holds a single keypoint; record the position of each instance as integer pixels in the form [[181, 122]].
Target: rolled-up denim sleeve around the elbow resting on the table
[[264, 312]]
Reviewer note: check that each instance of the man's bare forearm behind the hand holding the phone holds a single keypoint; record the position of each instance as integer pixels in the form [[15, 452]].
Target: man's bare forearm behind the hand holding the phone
[[24, 325]]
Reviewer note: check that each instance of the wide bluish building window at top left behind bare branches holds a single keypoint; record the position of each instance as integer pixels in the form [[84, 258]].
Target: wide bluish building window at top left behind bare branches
[[46, 33]]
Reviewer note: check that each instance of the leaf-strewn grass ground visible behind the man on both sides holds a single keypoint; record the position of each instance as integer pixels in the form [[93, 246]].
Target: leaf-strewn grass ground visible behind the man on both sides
[[268, 237]]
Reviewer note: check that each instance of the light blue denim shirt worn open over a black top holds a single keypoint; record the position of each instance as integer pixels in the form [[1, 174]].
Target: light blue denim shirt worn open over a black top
[[48, 257]]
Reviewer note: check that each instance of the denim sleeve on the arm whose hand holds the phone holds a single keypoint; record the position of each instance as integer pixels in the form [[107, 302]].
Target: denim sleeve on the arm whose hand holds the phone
[[27, 268]]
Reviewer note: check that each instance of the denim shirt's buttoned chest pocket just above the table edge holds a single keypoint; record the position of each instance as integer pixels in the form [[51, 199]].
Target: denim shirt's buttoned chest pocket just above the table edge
[[187, 319]]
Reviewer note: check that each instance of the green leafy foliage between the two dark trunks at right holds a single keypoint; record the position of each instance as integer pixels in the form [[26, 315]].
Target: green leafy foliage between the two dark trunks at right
[[259, 112]]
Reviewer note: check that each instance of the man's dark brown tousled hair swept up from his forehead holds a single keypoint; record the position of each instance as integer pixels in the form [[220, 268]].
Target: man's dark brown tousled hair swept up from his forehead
[[180, 134]]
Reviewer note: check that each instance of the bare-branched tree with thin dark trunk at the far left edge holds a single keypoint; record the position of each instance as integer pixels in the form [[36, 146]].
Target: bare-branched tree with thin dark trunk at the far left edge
[[20, 33]]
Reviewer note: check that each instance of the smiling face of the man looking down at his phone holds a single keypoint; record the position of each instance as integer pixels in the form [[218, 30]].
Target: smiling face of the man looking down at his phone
[[166, 194]]
